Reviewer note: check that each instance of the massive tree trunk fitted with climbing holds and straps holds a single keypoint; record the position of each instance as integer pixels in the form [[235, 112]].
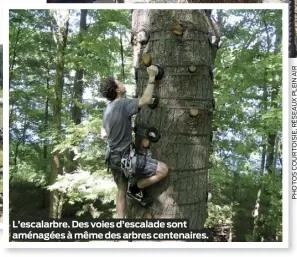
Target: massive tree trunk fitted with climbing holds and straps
[[185, 141]]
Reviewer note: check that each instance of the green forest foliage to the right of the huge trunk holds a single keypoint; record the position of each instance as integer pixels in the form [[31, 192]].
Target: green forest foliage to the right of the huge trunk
[[248, 110]]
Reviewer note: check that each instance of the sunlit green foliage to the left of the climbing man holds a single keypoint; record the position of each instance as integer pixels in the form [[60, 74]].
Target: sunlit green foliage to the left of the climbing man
[[33, 57]]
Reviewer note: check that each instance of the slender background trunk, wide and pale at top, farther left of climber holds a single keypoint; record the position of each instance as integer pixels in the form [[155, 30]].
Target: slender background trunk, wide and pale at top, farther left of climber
[[60, 24]]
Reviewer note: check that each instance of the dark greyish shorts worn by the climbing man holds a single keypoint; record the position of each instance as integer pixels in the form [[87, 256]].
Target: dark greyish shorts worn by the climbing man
[[146, 167]]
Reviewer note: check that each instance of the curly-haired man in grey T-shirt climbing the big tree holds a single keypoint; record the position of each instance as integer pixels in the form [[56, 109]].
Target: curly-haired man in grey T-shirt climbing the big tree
[[117, 130]]
